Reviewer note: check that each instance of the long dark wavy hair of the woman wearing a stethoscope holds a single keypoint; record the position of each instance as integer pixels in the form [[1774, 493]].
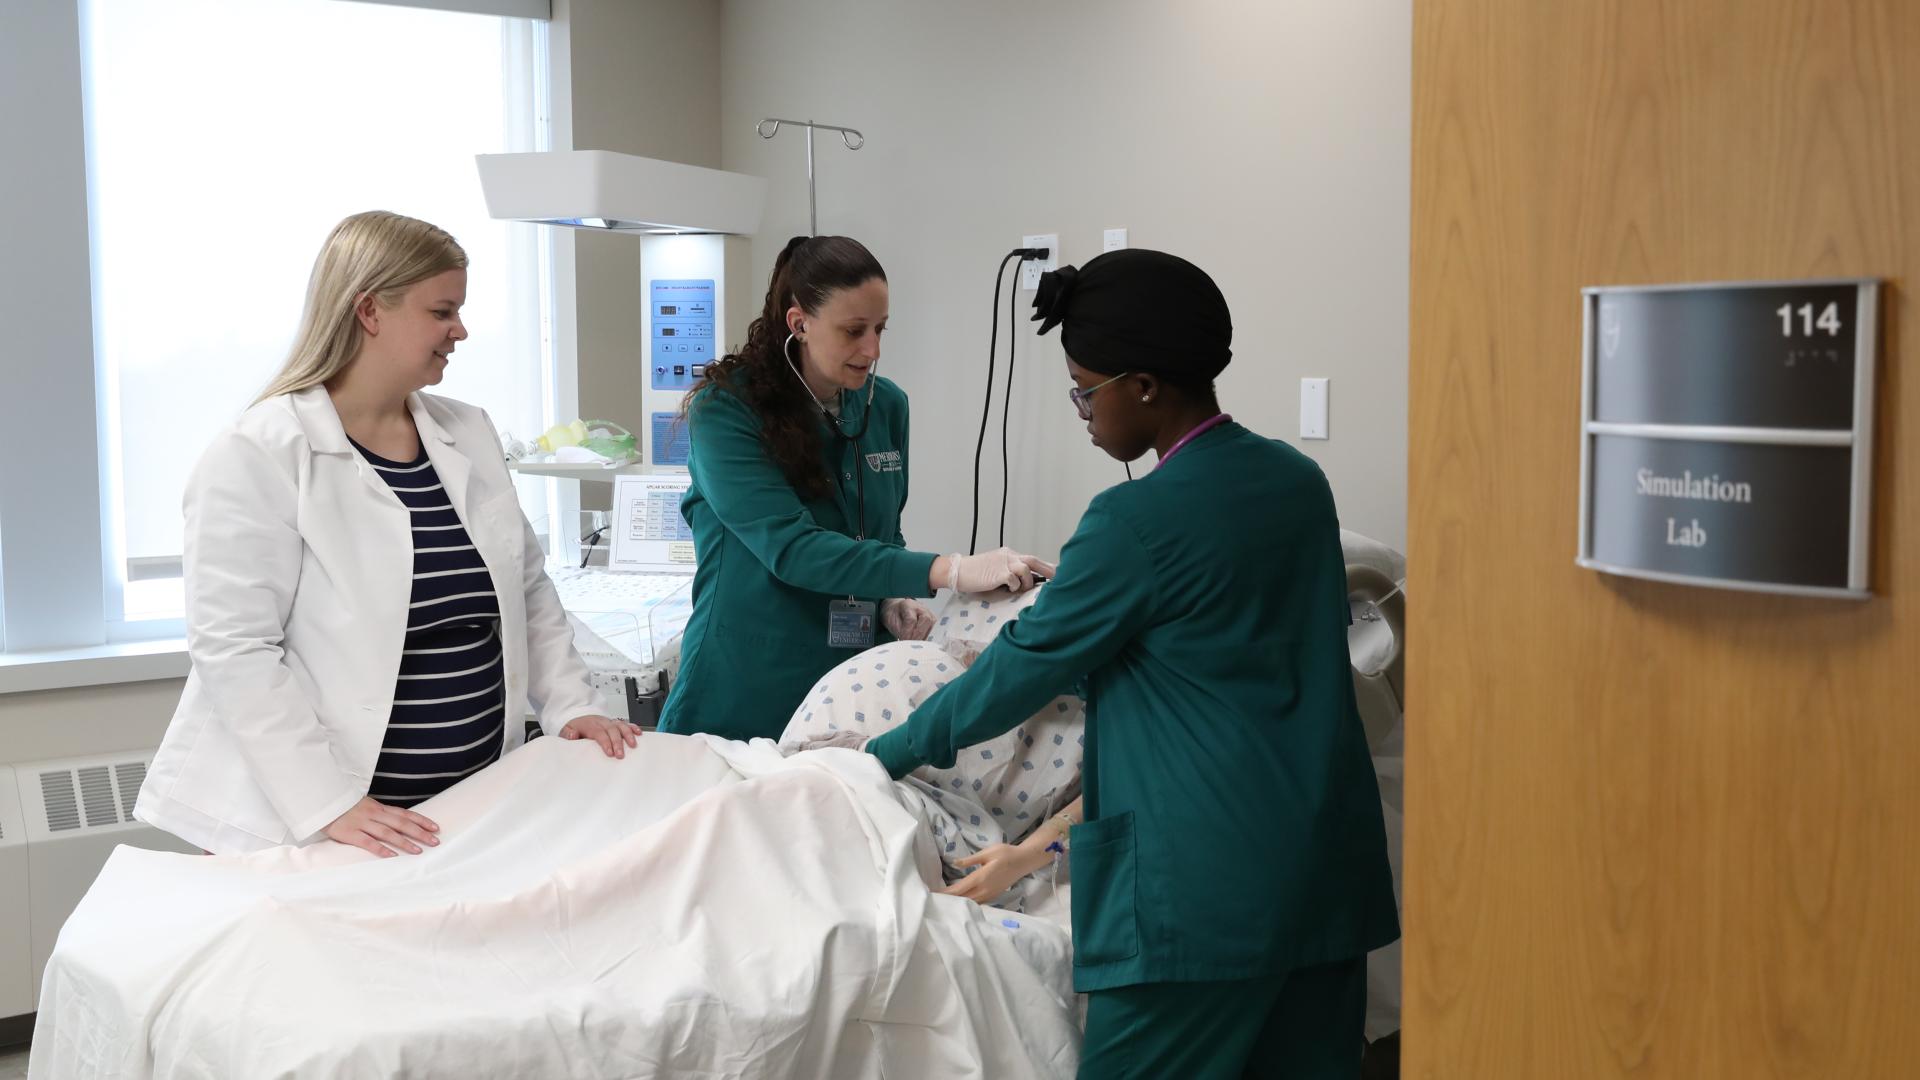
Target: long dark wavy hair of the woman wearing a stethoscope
[[807, 274]]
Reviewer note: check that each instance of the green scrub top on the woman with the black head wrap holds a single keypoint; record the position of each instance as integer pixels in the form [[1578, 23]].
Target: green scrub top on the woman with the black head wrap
[[1234, 820]]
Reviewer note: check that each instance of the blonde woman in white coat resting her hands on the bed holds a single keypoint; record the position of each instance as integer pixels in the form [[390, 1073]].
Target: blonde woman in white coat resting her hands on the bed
[[366, 604]]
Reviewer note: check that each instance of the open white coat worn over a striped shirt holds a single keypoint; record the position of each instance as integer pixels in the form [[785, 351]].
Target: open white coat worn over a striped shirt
[[299, 577]]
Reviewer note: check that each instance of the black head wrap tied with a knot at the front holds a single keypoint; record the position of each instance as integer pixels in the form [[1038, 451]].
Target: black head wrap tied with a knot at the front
[[1138, 310]]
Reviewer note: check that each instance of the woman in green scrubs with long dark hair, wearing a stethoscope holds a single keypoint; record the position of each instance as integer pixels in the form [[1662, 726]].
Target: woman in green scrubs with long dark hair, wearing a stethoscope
[[800, 479]]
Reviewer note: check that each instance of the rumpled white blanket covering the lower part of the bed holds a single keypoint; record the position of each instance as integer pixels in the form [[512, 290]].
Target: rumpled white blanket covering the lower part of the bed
[[698, 910]]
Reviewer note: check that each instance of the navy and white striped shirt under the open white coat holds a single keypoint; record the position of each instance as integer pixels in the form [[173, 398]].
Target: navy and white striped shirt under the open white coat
[[450, 704]]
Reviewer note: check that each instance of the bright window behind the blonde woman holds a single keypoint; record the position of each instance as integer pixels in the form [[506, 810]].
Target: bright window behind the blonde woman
[[224, 141]]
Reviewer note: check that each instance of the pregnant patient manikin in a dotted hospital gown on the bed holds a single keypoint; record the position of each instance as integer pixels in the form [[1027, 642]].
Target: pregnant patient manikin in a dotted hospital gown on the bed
[[997, 793]]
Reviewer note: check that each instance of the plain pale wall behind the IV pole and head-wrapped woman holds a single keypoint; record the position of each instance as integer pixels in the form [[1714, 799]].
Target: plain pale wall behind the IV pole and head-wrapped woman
[[1268, 143]]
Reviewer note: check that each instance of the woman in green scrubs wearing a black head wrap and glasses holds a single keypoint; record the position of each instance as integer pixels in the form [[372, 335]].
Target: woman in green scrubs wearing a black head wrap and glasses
[[1232, 871]]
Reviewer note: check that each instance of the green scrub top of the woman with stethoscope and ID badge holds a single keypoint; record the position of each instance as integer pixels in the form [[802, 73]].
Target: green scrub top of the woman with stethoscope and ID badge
[[769, 562]]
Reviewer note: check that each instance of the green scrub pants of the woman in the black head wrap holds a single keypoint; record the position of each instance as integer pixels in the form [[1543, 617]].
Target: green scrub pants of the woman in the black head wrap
[[1305, 1025]]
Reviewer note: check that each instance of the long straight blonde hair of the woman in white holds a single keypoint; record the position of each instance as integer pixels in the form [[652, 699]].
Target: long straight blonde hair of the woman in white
[[375, 253]]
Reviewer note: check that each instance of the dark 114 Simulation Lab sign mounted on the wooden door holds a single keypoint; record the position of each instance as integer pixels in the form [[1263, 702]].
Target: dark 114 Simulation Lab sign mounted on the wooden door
[[1727, 435]]
